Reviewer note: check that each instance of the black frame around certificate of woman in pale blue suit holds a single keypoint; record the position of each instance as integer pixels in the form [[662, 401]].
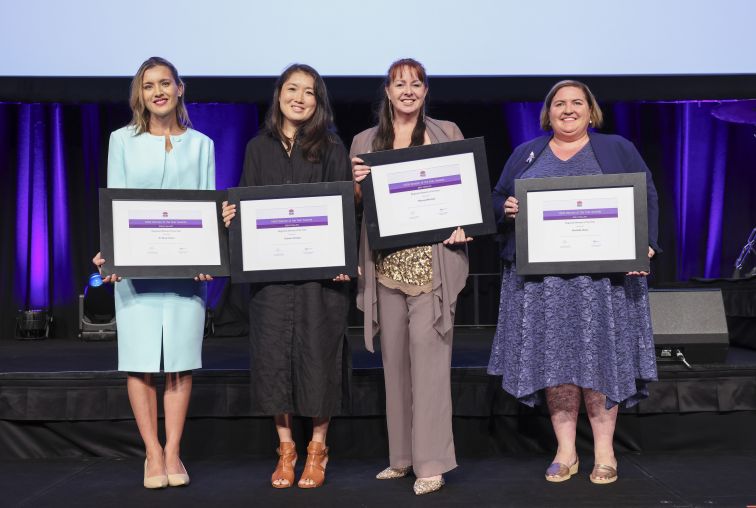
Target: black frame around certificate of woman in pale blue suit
[[107, 196]]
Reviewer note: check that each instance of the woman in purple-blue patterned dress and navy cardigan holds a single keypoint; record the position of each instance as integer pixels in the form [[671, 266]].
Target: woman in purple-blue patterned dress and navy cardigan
[[580, 335]]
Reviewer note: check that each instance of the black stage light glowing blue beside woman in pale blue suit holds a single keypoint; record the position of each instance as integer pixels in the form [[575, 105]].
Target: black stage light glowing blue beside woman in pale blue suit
[[97, 311]]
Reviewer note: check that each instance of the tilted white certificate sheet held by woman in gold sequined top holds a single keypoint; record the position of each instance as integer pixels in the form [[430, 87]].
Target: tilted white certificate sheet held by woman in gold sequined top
[[433, 193]]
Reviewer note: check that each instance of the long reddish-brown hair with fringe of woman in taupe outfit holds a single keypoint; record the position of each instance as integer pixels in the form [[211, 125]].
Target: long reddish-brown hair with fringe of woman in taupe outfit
[[384, 138]]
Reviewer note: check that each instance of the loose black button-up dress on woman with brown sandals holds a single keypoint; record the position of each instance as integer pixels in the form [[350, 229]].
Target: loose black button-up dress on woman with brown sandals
[[299, 358]]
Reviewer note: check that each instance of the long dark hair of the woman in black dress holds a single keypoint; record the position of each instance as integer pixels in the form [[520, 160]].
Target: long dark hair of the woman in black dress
[[312, 135]]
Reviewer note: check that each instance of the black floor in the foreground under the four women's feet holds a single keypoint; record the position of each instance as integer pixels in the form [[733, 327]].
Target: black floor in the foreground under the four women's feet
[[647, 480]]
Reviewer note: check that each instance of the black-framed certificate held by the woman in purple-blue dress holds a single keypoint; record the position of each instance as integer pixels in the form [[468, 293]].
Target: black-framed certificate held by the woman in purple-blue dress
[[582, 224]]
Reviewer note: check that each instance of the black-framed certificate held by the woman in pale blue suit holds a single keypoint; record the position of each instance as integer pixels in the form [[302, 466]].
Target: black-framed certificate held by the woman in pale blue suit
[[161, 233]]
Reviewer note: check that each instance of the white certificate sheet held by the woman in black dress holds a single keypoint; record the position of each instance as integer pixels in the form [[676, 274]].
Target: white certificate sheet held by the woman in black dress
[[292, 233]]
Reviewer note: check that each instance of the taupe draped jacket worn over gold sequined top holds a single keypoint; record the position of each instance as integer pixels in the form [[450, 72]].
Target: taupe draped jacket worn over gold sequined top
[[450, 265]]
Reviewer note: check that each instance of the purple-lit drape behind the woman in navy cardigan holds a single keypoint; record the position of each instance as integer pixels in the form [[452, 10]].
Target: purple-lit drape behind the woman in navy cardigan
[[700, 165]]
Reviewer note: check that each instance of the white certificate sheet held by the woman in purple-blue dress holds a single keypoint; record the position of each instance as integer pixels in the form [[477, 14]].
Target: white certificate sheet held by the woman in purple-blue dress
[[581, 225]]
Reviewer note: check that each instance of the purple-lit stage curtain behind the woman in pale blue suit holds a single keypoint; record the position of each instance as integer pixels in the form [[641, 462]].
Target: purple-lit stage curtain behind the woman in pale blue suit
[[53, 159]]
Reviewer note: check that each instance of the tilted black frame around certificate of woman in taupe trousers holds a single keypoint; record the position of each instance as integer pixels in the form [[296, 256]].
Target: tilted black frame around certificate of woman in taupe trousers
[[476, 146]]
